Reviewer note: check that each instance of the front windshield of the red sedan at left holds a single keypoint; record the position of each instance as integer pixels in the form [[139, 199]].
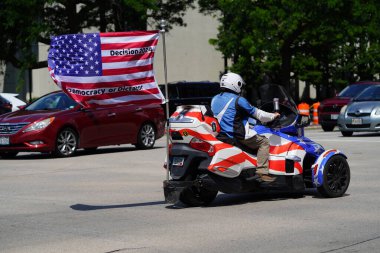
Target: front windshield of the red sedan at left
[[54, 101]]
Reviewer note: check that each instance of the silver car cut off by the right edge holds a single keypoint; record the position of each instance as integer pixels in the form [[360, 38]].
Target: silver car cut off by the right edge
[[362, 114]]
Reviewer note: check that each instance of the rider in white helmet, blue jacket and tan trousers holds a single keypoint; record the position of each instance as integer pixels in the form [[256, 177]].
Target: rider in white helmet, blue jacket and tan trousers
[[233, 112]]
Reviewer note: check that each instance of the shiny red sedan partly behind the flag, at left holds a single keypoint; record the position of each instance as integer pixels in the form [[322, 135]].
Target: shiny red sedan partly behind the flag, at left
[[55, 123]]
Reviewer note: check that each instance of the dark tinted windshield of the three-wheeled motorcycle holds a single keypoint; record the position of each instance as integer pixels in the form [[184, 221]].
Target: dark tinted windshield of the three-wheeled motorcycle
[[268, 92]]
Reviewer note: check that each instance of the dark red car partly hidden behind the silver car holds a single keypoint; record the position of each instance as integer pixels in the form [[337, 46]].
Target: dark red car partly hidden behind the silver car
[[328, 110]]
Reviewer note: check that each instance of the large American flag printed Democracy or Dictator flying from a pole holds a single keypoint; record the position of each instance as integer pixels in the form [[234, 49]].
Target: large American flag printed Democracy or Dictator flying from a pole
[[106, 68]]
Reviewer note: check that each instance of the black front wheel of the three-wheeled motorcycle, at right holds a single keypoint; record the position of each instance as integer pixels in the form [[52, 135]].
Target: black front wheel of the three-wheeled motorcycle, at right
[[336, 177]]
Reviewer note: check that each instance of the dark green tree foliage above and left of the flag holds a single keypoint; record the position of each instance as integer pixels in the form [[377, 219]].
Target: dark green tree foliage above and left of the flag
[[24, 23]]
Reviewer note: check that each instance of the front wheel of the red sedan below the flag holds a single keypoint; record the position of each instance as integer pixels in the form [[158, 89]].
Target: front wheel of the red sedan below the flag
[[66, 143]]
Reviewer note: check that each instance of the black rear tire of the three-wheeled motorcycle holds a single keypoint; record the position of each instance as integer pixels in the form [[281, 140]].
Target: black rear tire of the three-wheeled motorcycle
[[193, 196]]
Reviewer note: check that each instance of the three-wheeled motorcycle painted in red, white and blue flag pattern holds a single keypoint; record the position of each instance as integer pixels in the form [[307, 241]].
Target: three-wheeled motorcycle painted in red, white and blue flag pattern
[[203, 163]]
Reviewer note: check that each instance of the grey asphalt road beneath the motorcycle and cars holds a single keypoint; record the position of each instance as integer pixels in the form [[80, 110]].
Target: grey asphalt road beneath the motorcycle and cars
[[112, 201]]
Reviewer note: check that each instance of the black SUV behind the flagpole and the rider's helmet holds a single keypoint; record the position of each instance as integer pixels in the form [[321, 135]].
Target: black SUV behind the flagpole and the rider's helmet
[[190, 93]]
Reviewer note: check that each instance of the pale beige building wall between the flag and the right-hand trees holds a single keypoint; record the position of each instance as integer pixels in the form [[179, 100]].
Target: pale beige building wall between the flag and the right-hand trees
[[189, 55]]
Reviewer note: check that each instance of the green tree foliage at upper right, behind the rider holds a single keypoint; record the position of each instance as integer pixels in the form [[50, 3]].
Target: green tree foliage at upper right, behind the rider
[[325, 42]]
